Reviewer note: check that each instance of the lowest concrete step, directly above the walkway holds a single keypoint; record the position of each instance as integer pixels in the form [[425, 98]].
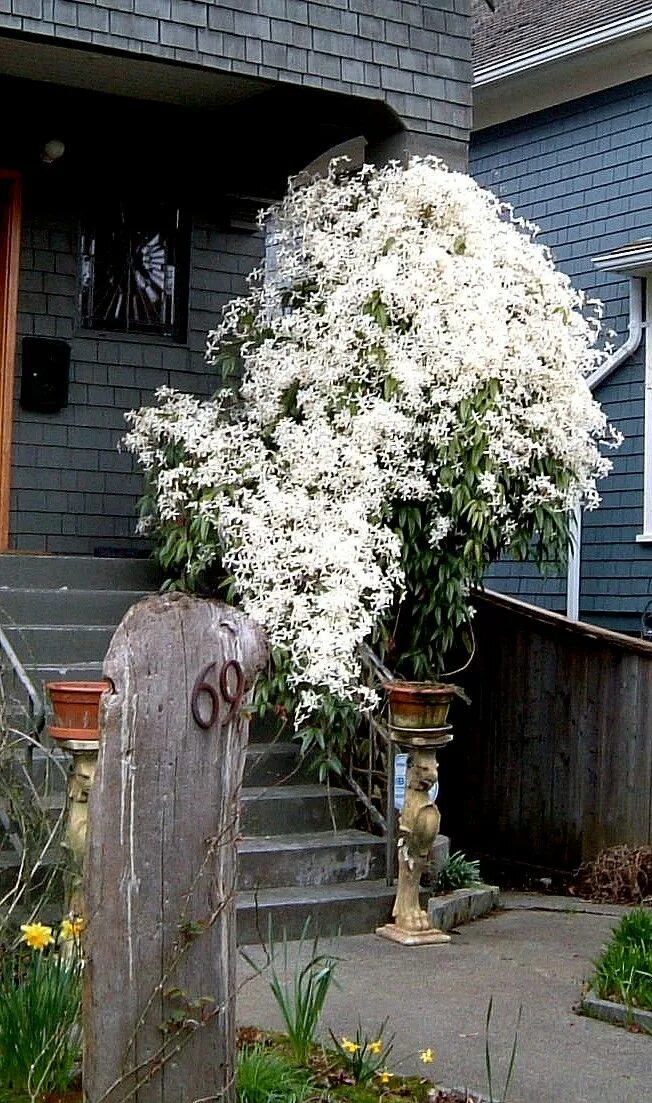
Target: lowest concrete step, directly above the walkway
[[356, 908]]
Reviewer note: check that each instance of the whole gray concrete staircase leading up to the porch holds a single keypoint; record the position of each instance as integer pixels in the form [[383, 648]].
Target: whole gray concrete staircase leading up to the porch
[[301, 854]]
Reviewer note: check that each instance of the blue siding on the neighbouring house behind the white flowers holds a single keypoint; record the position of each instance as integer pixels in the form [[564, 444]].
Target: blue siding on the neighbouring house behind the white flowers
[[583, 173]]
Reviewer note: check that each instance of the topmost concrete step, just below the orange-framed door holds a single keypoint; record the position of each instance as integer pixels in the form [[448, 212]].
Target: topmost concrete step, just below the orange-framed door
[[78, 572]]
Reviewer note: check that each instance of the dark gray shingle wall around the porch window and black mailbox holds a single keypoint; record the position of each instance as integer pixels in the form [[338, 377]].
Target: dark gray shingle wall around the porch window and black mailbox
[[72, 490]]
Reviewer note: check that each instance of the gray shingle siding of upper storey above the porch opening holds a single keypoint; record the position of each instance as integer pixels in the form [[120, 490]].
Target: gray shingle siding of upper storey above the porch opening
[[255, 39]]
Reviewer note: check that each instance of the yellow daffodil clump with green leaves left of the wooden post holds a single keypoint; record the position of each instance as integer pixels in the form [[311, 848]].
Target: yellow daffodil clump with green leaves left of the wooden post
[[40, 1012]]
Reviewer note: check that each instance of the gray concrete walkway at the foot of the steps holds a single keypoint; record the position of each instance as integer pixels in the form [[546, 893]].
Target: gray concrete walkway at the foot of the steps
[[535, 954]]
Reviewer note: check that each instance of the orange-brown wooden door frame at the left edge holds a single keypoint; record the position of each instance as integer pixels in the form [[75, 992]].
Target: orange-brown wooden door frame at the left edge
[[10, 226]]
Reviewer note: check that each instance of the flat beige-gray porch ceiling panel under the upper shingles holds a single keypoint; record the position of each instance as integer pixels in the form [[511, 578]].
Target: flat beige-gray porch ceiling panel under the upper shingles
[[124, 74]]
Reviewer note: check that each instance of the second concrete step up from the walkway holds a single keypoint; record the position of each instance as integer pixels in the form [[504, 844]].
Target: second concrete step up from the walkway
[[323, 859]]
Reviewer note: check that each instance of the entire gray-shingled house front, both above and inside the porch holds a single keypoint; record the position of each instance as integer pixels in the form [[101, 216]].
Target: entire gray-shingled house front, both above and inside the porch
[[403, 72]]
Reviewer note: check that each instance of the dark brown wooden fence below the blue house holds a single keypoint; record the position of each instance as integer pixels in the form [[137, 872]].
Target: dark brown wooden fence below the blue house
[[553, 761]]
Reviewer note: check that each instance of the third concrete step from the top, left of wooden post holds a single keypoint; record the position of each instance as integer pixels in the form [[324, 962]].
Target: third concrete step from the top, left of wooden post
[[47, 645]]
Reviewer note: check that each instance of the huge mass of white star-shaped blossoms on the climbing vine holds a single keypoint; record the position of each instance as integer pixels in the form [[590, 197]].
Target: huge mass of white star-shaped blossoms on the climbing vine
[[399, 296]]
